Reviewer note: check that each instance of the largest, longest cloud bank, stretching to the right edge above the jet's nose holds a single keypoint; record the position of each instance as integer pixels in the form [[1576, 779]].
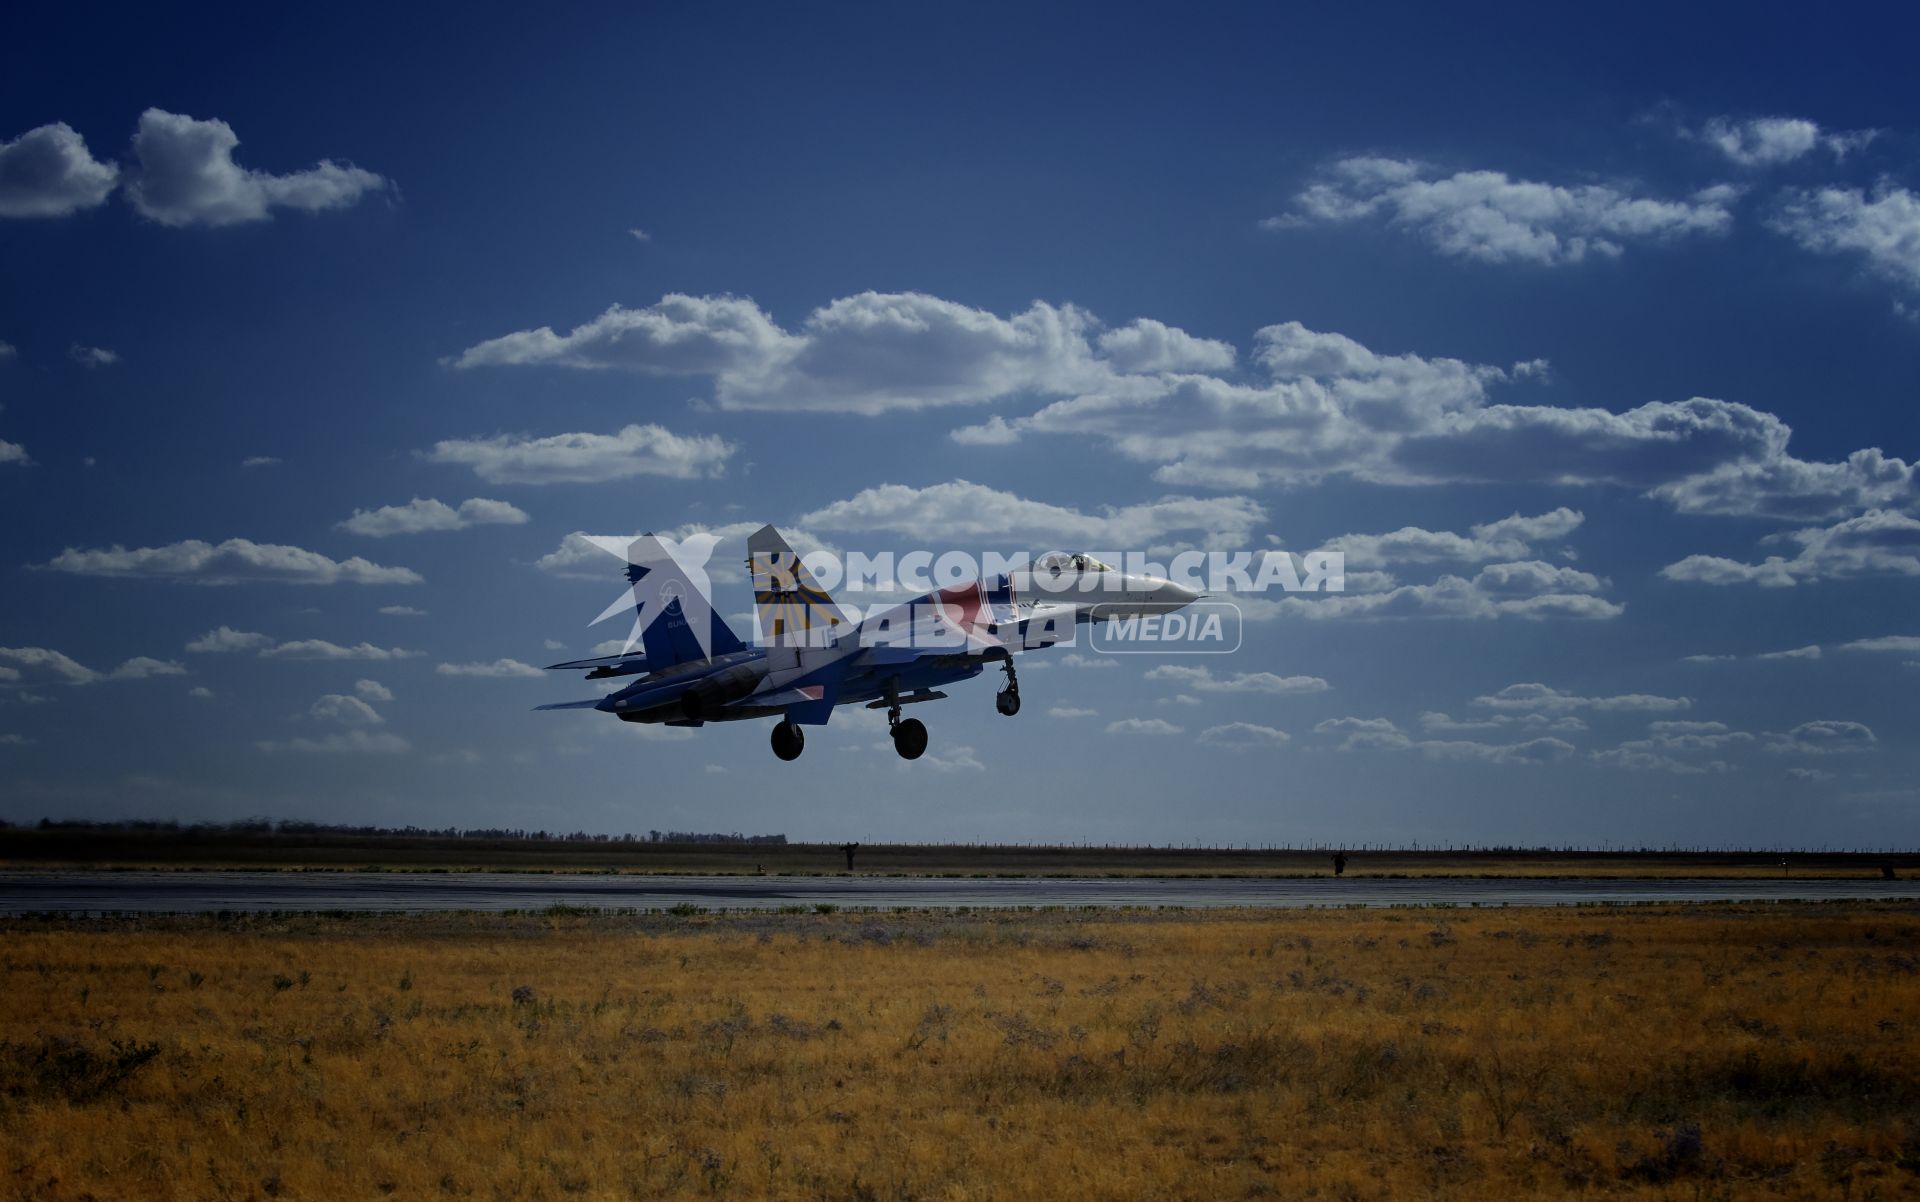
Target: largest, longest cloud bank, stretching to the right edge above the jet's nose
[[1333, 408]]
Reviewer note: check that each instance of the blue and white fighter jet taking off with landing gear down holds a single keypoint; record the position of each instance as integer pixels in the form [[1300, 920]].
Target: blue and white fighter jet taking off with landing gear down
[[813, 660]]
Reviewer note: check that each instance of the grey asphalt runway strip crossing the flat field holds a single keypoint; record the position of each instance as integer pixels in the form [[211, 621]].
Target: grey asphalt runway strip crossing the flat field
[[494, 892]]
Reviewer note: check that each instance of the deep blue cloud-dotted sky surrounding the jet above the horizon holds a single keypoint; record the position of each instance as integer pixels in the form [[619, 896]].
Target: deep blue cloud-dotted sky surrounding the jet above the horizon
[[1614, 331]]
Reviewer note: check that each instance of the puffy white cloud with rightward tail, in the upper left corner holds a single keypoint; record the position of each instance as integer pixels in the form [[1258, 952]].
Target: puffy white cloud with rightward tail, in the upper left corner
[[187, 176]]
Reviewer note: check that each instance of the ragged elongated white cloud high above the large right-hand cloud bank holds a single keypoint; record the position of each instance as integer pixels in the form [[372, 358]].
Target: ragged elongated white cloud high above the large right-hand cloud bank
[[1497, 220]]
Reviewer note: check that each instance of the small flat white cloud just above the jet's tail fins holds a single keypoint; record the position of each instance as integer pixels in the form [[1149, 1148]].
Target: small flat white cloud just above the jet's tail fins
[[587, 458]]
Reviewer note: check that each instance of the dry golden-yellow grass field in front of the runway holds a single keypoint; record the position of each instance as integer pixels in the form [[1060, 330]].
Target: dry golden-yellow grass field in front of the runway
[[1631, 1053]]
